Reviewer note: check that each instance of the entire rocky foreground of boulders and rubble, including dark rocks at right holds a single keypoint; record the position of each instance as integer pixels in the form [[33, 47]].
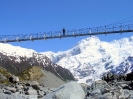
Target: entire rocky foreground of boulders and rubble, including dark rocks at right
[[111, 86]]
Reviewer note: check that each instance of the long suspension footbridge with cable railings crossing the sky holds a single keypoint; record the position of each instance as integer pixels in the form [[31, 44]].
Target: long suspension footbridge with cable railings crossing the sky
[[113, 28]]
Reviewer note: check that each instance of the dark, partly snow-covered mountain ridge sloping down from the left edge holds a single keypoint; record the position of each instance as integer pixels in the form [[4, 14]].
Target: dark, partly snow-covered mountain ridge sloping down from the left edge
[[17, 59]]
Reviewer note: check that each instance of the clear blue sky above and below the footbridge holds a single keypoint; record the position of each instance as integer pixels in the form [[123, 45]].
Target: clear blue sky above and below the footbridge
[[34, 16]]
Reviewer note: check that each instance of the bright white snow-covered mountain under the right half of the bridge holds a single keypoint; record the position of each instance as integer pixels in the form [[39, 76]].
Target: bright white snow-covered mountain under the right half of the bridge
[[90, 58]]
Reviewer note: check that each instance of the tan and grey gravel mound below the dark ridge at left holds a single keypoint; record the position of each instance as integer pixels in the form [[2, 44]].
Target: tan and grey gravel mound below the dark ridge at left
[[43, 77]]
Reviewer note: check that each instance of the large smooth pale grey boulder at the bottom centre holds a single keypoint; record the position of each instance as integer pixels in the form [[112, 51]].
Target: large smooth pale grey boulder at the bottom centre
[[70, 90]]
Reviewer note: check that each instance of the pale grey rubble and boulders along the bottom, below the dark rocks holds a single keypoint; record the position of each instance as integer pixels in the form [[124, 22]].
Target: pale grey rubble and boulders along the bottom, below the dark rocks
[[72, 90]]
